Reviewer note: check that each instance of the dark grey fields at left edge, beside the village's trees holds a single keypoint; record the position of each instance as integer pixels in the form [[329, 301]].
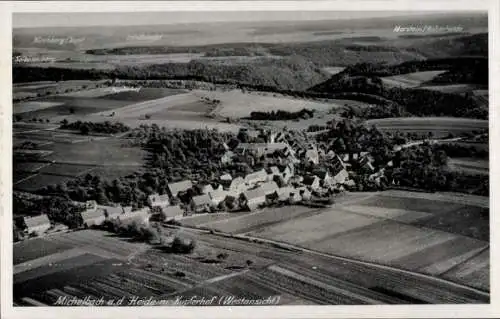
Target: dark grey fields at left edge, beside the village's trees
[[73, 155]]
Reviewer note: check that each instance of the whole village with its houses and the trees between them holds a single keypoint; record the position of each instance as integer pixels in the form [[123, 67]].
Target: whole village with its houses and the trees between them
[[280, 183]]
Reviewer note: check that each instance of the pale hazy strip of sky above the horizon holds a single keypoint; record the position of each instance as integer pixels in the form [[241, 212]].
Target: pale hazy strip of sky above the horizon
[[32, 20]]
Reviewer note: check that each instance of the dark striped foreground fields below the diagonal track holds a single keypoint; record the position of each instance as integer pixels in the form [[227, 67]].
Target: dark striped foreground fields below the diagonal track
[[97, 264]]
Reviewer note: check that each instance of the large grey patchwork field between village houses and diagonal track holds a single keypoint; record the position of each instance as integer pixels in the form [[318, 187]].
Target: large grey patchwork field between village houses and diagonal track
[[419, 234]]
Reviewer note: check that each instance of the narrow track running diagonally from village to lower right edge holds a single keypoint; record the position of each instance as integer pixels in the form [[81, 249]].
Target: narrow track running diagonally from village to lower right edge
[[346, 259]]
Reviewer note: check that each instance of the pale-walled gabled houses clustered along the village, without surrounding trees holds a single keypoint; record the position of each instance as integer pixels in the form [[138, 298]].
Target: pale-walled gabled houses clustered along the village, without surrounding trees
[[251, 191]]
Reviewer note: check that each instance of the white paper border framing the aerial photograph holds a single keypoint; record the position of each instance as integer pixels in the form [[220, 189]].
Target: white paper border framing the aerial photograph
[[392, 311]]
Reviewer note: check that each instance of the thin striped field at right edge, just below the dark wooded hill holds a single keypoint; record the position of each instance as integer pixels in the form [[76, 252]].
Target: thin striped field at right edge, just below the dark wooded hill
[[439, 126]]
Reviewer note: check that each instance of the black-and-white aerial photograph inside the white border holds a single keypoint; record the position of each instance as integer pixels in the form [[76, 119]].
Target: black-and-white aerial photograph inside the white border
[[250, 158]]
